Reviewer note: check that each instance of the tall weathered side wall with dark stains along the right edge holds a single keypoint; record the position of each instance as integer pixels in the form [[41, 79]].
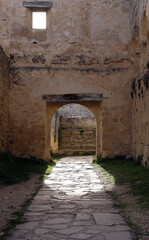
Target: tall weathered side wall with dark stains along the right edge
[[140, 80]]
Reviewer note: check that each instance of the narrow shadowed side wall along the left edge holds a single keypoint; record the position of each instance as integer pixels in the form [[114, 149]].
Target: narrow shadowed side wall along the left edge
[[4, 100]]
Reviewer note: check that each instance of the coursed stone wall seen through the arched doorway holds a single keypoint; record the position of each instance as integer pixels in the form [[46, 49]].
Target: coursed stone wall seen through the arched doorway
[[77, 134]]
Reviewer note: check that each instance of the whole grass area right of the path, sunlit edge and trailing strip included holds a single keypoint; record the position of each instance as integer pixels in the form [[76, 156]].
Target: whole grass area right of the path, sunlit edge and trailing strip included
[[119, 171]]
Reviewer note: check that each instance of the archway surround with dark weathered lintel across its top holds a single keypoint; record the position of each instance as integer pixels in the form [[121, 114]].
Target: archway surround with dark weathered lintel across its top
[[54, 102]]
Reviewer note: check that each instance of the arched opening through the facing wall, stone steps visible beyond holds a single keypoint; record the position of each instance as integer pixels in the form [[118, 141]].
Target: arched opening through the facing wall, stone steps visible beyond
[[73, 130]]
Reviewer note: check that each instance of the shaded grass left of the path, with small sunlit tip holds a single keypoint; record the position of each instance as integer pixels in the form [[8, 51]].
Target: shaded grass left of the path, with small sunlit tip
[[15, 170]]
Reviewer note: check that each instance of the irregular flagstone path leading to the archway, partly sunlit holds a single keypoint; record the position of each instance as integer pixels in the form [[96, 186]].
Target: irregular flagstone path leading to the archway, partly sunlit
[[72, 205]]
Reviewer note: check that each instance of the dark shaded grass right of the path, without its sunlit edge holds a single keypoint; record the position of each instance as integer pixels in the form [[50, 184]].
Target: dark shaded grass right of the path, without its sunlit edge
[[126, 171]]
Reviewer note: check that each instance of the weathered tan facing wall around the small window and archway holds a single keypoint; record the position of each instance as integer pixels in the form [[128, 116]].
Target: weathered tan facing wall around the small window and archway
[[85, 49]]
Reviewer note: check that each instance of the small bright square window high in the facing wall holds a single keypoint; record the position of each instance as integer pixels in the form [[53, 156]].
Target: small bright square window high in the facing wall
[[39, 20]]
